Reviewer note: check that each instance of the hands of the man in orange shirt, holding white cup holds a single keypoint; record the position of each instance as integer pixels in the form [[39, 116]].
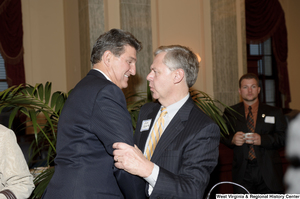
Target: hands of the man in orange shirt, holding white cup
[[240, 138]]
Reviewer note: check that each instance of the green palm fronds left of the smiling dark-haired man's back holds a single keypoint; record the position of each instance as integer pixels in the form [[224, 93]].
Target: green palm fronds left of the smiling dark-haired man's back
[[34, 102]]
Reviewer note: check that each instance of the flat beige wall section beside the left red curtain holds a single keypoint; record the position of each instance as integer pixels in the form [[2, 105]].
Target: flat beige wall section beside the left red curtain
[[44, 43]]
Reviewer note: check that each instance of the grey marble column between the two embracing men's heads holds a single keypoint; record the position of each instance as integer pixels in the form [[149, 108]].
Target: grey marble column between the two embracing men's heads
[[136, 18]]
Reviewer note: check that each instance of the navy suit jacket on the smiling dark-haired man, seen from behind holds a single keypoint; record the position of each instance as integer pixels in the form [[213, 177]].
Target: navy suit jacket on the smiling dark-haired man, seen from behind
[[93, 118]]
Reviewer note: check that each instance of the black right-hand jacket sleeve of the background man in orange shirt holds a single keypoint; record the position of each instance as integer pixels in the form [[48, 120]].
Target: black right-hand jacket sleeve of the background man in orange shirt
[[273, 135]]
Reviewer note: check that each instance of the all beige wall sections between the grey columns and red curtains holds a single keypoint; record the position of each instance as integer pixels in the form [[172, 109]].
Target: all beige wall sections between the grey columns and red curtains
[[51, 37]]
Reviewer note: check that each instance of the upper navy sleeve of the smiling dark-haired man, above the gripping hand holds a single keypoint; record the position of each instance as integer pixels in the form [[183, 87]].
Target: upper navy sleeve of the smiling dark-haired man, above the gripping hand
[[111, 121]]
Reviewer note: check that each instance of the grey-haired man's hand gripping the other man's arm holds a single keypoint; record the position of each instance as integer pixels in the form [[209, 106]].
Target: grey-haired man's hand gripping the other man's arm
[[132, 160]]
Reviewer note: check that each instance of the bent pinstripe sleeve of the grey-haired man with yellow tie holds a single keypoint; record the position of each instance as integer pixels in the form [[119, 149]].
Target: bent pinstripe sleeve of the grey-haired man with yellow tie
[[198, 161]]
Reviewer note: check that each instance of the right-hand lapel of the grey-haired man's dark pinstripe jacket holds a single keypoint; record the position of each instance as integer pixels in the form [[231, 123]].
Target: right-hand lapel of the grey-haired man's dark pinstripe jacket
[[175, 127]]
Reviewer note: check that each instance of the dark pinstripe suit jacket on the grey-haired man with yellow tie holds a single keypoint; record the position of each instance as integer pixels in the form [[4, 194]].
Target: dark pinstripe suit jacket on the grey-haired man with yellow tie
[[186, 153]]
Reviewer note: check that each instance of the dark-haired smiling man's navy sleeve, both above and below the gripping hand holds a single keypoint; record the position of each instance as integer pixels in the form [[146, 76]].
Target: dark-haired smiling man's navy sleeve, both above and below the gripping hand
[[112, 123]]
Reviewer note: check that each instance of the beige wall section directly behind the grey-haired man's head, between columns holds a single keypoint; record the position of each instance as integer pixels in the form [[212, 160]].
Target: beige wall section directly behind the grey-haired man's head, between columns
[[186, 24]]
